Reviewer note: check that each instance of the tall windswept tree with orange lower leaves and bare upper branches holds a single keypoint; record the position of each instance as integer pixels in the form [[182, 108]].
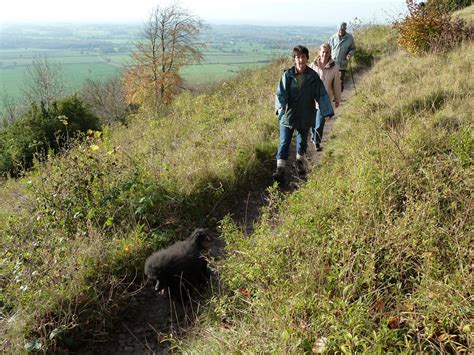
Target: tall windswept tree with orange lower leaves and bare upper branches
[[168, 44]]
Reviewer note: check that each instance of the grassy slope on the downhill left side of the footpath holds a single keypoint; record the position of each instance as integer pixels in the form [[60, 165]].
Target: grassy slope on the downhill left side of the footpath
[[74, 233]]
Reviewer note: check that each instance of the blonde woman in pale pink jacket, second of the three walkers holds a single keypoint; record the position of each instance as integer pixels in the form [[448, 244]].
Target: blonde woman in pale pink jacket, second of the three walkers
[[328, 71]]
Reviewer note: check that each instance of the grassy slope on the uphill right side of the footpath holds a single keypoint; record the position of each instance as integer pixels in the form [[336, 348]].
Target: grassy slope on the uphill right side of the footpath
[[375, 253]]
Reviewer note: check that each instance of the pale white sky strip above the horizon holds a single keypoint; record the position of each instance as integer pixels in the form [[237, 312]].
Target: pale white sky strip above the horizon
[[264, 12]]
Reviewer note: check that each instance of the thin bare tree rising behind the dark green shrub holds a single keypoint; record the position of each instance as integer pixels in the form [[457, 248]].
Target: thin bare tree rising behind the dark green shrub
[[44, 81]]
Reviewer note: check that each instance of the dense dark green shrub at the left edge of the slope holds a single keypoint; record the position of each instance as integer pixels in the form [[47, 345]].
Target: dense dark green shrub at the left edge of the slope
[[42, 129]]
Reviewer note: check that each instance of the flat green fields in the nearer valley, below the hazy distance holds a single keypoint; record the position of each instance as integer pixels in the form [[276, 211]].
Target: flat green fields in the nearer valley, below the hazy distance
[[77, 66]]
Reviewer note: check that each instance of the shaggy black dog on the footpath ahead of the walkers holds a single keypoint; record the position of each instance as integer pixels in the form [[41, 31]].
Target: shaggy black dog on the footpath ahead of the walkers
[[179, 267]]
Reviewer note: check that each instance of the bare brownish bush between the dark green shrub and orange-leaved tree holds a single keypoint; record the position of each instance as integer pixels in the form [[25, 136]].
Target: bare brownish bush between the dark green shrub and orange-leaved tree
[[107, 99]]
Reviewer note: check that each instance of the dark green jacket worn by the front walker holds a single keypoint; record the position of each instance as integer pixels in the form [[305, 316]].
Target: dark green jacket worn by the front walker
[[296, 107]]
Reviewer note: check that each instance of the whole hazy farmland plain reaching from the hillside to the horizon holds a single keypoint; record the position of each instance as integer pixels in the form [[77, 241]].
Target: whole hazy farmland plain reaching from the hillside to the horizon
[[101, 51]]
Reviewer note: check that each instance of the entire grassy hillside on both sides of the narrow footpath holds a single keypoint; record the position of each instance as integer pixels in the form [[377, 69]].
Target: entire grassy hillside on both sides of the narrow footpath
[[372, 252]]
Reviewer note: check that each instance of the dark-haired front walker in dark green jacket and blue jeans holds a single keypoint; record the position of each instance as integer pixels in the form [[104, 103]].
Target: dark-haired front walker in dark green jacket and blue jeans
[[295, 98]]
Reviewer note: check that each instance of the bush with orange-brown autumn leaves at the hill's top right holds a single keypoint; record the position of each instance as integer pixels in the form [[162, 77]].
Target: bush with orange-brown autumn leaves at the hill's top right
[[427, 28]]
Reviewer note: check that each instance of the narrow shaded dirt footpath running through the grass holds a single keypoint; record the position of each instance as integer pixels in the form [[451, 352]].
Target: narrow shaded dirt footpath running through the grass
[[150, 322]]
